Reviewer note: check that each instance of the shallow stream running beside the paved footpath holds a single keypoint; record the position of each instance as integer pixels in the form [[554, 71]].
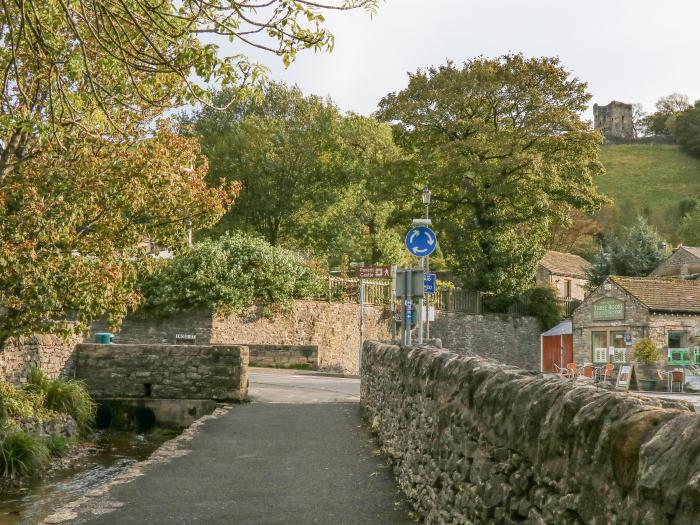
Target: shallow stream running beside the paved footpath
[[112, 453]]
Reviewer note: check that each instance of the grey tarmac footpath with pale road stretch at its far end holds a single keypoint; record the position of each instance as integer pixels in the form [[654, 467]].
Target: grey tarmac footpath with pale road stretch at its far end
[[297, 454]]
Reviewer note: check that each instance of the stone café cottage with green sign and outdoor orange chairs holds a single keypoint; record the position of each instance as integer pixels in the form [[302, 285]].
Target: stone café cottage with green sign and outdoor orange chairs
[[623, 310]]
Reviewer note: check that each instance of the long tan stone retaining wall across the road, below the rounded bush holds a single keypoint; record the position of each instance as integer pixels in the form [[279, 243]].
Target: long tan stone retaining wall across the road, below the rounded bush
[[333, 327]]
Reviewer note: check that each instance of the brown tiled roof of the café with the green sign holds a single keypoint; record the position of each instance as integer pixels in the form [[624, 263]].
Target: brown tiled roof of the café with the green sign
[[663, 295]]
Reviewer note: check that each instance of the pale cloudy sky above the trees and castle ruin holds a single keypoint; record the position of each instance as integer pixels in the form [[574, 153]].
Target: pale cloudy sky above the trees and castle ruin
[[626, 50]]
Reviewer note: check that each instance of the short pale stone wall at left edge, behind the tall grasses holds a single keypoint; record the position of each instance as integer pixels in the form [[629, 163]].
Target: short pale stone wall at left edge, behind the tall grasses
[[53, 355]]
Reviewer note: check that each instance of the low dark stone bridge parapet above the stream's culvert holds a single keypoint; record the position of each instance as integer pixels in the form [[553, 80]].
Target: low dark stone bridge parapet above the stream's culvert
[[217, 372]]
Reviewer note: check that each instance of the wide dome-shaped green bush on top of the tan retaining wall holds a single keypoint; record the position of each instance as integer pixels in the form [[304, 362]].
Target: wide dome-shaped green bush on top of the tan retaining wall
[[228, 274]]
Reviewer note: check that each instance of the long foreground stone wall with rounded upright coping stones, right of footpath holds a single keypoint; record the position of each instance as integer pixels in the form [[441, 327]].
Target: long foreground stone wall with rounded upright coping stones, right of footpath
[[474, 441]]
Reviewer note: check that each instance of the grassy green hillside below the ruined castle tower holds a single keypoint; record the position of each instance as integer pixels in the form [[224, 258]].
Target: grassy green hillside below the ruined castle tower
[[651, 180]]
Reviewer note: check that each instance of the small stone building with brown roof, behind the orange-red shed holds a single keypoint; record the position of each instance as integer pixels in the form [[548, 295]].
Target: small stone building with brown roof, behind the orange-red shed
[[566, 272]]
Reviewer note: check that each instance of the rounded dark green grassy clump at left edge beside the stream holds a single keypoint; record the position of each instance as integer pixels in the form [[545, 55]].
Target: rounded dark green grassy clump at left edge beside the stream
[[22, 453]]
